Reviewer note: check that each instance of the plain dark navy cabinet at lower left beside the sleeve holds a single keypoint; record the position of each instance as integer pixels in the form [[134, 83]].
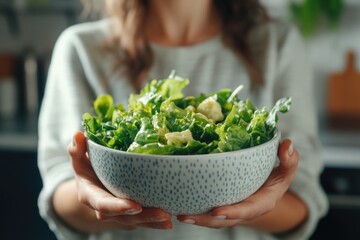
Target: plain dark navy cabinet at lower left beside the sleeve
[[20, 184]]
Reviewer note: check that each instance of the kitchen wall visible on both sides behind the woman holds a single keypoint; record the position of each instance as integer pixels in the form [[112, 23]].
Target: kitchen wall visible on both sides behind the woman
[[327, 47]]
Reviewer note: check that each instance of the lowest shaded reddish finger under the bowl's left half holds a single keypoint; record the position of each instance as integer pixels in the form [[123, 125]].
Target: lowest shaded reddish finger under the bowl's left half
[[148, 215]]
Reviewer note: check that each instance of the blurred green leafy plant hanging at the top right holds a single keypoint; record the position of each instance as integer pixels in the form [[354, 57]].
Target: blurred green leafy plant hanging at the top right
[[308, 13]]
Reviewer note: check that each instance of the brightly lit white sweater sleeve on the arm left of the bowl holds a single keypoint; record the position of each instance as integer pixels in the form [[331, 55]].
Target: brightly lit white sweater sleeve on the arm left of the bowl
[[66, 97]]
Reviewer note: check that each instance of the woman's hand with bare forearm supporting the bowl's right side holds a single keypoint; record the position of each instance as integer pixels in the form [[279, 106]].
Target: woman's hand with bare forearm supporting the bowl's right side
[[271, 208]]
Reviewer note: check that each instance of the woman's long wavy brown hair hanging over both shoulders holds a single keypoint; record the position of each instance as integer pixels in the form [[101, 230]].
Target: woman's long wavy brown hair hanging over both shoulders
[[134, 54]]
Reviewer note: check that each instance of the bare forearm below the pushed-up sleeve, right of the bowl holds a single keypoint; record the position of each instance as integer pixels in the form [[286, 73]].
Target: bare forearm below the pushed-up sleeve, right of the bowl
[[289, 213]]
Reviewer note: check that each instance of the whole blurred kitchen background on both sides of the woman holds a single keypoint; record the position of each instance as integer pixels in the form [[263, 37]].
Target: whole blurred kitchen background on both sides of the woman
[[29, 29]]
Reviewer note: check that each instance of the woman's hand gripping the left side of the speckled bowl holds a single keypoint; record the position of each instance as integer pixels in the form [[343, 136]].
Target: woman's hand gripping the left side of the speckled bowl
[[109, 210]]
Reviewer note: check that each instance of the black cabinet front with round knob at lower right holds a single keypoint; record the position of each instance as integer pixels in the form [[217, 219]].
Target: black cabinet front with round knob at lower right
[[342, 184]]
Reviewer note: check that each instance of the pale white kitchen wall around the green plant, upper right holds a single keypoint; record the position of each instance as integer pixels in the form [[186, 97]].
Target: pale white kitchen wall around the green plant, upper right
[[327, 47]]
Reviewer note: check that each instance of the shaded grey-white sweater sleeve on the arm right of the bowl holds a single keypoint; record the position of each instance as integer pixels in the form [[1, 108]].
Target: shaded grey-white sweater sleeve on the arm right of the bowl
[[300, 125]]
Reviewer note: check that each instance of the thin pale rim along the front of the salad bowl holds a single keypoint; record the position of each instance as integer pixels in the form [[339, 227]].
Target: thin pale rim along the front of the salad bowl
[[276, 137]]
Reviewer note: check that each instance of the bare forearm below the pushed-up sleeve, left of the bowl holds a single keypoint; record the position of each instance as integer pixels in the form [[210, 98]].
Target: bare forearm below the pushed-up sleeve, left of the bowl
[[75, 214]]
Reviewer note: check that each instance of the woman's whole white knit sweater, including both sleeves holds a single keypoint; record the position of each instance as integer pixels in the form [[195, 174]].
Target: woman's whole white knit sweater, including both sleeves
[[80, 70]]
